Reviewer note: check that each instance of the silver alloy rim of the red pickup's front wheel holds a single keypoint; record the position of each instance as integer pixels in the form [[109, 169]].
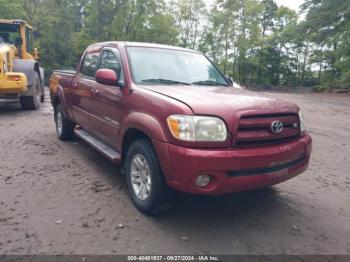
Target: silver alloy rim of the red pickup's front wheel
[[140, 177]]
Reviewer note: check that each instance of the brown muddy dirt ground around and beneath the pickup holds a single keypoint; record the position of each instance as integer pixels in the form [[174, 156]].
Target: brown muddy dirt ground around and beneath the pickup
[[65, 198]]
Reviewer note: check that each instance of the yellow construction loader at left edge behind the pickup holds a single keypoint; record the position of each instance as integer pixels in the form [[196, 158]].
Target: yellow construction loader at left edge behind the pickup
[[21, 77]]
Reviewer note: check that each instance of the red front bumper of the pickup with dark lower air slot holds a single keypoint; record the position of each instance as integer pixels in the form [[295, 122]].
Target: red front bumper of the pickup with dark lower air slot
[[234, 169]]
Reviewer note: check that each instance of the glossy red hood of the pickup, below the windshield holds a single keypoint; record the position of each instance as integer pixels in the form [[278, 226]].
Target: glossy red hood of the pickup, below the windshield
[[215, 100]]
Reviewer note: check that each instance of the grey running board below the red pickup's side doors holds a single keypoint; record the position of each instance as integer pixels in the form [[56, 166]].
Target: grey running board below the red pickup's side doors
[[100, 146]]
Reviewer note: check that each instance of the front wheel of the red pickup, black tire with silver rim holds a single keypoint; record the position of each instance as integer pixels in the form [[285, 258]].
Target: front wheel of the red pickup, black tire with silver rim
[[160, 196]]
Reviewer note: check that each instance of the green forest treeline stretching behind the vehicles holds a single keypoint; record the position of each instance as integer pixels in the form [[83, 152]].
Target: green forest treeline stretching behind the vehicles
[[256, 42]]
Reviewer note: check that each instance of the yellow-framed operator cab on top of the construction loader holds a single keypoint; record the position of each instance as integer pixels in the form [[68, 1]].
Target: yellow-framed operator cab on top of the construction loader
[[19, 34]]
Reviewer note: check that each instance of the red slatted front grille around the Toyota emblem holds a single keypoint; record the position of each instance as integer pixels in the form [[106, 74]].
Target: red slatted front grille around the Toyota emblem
[[256, 129]]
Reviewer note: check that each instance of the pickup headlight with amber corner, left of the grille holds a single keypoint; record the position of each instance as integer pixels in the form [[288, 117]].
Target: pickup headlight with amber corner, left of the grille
[[197, 128]]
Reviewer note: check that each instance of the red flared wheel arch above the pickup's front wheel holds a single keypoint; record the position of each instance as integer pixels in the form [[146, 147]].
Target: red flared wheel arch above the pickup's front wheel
[[144, 123]]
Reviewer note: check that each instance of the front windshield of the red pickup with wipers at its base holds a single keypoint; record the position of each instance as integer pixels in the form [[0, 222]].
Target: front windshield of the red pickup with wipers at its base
[[166, 66]]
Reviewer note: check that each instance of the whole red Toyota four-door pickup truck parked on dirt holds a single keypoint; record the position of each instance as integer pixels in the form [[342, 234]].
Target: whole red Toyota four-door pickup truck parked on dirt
[[174, 121]]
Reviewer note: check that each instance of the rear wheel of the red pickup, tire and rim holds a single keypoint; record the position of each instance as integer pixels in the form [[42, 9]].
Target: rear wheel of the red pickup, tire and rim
[[64, 127]]
